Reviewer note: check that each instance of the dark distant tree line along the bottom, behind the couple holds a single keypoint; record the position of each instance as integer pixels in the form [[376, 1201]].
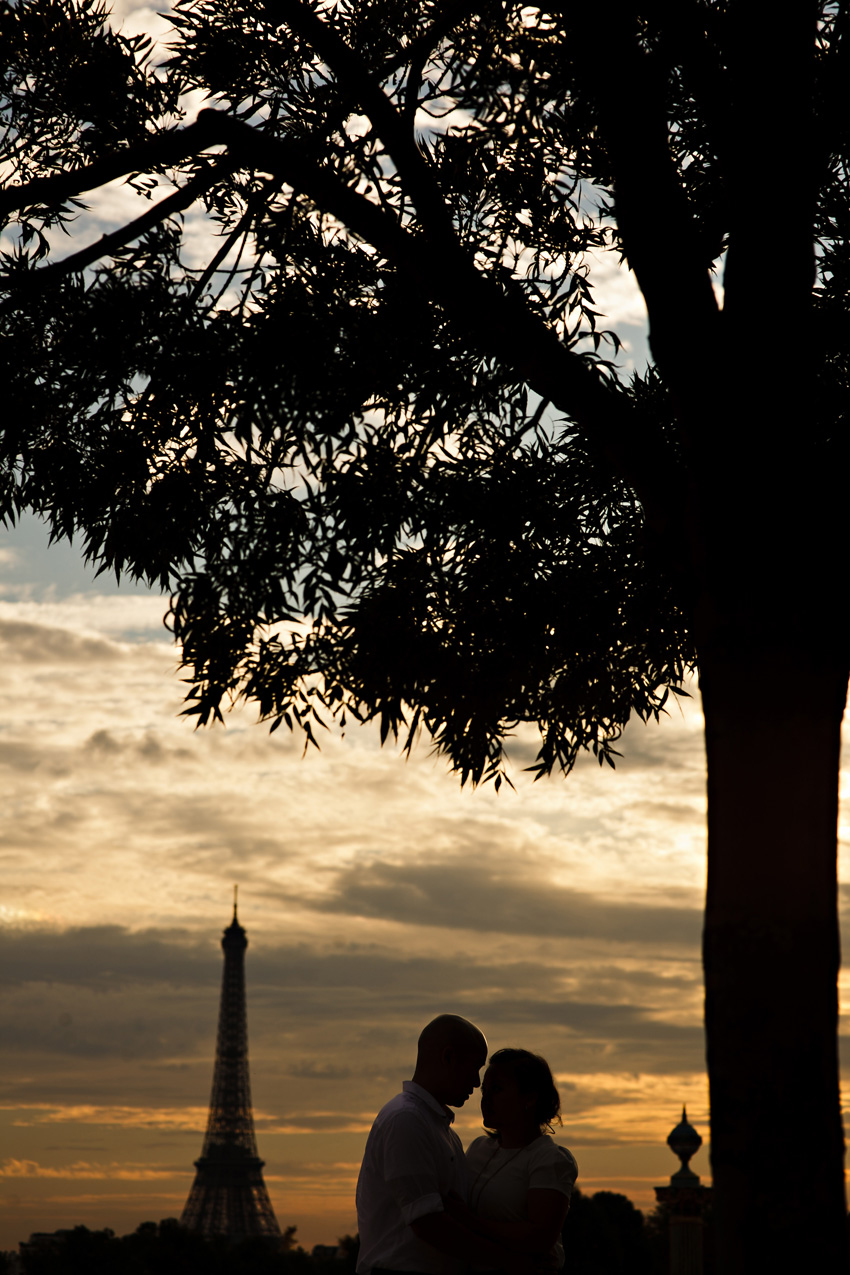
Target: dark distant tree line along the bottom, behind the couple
[[605, 1235]]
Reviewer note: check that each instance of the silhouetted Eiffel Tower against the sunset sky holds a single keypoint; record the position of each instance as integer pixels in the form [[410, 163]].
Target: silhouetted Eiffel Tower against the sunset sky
[[229, 1197]]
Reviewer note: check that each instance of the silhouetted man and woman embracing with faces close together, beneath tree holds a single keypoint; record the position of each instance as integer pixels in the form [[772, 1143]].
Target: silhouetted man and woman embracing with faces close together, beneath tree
[[424, 1207]]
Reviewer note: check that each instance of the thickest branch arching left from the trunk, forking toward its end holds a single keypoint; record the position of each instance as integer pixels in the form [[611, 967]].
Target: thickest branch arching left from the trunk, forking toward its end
[[498, 321]]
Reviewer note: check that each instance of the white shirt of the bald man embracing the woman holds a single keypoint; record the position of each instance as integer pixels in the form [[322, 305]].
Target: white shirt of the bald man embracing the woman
[[414, 1158]]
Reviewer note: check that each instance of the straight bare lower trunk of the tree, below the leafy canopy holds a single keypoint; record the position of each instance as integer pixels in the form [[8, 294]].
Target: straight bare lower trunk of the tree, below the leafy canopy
[[772, 957]]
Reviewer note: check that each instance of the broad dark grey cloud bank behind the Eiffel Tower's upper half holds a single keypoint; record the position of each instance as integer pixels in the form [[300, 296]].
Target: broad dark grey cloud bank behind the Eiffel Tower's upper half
[[97, 994]]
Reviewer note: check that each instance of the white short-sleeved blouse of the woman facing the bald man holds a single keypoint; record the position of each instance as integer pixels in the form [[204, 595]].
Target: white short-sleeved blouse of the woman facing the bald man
[[500, 1179]]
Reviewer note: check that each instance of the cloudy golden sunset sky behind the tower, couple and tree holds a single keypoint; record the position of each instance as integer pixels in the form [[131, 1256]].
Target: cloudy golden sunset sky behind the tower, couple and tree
[[563, 917]]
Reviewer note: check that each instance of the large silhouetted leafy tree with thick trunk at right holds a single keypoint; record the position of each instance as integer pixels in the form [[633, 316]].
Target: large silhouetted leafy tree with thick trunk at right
[[379, 451]]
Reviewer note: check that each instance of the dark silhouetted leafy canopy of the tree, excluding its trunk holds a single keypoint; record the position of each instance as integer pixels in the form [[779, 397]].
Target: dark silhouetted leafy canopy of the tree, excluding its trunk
[[365, 498]]
